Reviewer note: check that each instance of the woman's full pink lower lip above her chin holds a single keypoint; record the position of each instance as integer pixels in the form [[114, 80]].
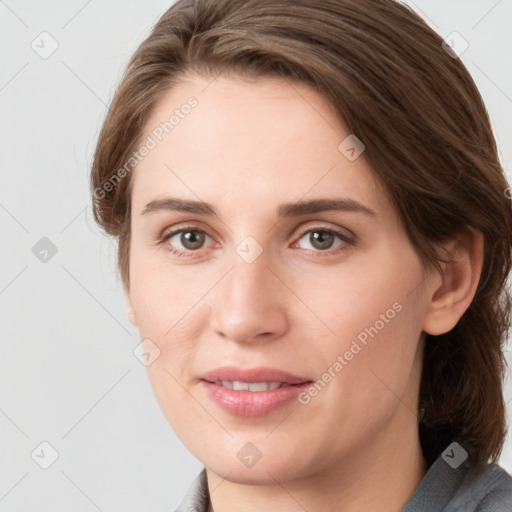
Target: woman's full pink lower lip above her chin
[[252, 403]]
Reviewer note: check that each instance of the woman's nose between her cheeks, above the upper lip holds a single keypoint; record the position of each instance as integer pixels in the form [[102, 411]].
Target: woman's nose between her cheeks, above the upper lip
[[250, 302]]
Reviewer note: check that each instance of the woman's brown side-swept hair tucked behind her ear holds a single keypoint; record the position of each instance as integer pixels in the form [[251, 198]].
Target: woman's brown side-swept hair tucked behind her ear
[[428, 139]]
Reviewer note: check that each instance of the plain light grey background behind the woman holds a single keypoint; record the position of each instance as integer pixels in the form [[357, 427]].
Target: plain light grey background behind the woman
[[68, 375]]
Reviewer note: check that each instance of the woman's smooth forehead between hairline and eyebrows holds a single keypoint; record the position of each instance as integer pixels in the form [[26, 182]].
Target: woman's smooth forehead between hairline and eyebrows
[[248, 141]]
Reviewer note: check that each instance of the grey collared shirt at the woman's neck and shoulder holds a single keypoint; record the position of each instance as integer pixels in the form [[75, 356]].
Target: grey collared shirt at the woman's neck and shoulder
[[443, 488]]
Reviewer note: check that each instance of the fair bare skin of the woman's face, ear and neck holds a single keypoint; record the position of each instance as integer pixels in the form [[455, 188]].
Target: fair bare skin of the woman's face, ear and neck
[[247, 147]]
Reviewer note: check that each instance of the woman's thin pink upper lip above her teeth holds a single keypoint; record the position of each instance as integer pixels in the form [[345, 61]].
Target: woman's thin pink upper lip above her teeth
[[260, 374]]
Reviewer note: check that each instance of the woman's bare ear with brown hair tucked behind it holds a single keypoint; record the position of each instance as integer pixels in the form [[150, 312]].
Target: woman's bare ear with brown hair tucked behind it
[[451, 292]]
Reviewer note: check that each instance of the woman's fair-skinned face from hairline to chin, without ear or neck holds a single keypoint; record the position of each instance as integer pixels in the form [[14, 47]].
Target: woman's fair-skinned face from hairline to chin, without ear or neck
[[335, 297]]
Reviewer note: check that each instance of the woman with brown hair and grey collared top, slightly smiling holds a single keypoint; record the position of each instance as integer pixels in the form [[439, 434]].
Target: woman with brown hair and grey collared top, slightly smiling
[[314, 236]]
